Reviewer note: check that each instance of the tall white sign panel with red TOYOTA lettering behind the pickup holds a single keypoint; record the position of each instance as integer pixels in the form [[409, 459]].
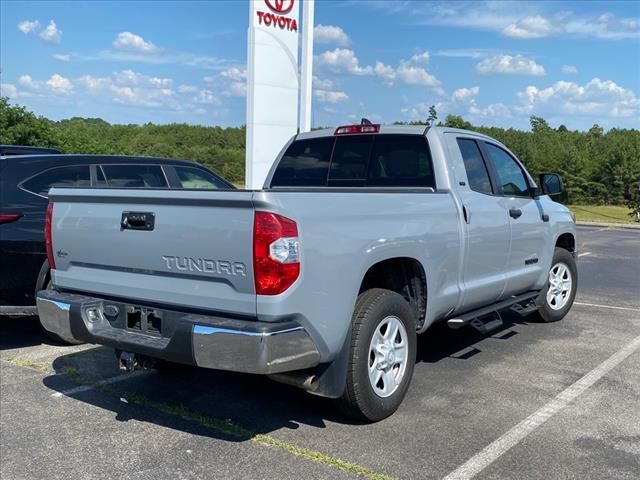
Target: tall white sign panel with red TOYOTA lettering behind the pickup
[[272, 84]]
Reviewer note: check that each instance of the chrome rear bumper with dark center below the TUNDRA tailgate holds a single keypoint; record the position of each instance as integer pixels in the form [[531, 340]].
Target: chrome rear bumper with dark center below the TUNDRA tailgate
[[206, 341]]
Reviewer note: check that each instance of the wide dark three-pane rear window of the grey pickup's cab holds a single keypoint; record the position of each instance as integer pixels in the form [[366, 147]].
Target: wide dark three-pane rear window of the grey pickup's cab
[[369, 160]]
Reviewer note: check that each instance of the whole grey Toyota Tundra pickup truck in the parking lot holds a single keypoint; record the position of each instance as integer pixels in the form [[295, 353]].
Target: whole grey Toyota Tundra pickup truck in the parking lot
[[361, 238]]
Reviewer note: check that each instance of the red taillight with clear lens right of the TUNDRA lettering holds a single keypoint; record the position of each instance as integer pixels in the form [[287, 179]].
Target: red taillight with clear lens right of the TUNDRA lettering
[[276, 253]]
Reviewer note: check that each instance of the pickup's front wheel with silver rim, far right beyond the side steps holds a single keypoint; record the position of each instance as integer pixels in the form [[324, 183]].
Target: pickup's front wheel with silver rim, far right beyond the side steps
[[557, 298]]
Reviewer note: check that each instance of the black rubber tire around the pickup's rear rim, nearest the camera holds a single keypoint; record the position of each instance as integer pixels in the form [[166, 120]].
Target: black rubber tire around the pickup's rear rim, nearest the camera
[[373, 307]]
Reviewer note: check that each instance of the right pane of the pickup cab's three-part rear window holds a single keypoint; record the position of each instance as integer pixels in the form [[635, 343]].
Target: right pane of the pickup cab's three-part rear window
[[400, 161]]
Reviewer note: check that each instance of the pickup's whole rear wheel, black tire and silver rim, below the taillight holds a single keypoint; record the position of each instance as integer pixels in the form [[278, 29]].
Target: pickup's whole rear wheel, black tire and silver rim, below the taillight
[[382, 356]]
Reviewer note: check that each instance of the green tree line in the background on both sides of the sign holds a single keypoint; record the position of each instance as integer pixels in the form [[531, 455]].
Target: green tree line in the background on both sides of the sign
[[598, 167]]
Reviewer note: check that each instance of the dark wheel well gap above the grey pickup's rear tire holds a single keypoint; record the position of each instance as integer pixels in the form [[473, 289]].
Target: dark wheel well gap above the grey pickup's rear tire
[[402, 275]]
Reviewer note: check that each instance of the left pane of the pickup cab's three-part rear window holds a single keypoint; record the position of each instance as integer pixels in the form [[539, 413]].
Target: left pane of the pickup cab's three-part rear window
[[304, 164]]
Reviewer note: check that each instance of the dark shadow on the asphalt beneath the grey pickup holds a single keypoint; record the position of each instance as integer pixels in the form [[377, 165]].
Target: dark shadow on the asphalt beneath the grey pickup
[[225, 405]]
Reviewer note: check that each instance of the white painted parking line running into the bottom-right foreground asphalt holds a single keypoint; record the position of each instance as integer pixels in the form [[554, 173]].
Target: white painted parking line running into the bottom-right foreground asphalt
[[510, 439]]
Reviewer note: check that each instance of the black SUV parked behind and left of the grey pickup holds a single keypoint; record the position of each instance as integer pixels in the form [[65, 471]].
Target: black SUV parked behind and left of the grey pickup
[[25, 181]]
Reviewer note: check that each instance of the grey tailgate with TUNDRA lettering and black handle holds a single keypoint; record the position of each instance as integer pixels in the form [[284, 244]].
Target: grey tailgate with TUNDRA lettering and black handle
[[192, 248]]
